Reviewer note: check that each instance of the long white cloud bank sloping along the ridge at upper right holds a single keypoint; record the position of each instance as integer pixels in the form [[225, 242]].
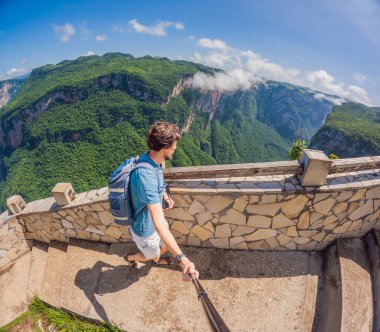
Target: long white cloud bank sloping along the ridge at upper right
[[221, 55]]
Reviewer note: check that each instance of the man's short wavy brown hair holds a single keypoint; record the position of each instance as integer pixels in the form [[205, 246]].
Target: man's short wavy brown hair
[[162, 134]]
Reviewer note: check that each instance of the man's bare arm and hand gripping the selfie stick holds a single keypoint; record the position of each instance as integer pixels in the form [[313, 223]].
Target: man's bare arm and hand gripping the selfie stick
[[167, 237]]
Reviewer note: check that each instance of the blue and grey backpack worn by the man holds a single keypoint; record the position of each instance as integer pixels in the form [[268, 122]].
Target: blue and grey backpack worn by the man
[[119, 190]]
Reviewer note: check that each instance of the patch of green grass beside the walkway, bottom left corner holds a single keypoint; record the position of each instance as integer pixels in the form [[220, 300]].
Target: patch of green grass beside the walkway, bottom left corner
[[41, 313]]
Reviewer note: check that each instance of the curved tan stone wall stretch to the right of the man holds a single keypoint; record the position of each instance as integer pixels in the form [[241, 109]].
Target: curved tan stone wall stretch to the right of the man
[[274, 212]]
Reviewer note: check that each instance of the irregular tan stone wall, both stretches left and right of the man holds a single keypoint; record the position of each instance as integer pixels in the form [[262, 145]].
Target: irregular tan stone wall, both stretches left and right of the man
[[258, 213]]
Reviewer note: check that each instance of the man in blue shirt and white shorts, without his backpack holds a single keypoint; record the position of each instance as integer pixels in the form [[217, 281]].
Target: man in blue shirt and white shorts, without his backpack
[[150, 231]]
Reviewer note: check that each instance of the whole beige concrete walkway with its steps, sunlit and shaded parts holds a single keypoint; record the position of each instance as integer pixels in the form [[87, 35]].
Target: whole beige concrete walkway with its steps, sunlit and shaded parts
[[252, 290]]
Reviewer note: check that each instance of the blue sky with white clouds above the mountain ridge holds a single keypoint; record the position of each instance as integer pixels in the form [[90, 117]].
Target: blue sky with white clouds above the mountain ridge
[[332, 46]]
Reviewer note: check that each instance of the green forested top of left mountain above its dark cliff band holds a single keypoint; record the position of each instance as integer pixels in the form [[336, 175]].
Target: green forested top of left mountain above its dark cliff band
[[157, 75]]
